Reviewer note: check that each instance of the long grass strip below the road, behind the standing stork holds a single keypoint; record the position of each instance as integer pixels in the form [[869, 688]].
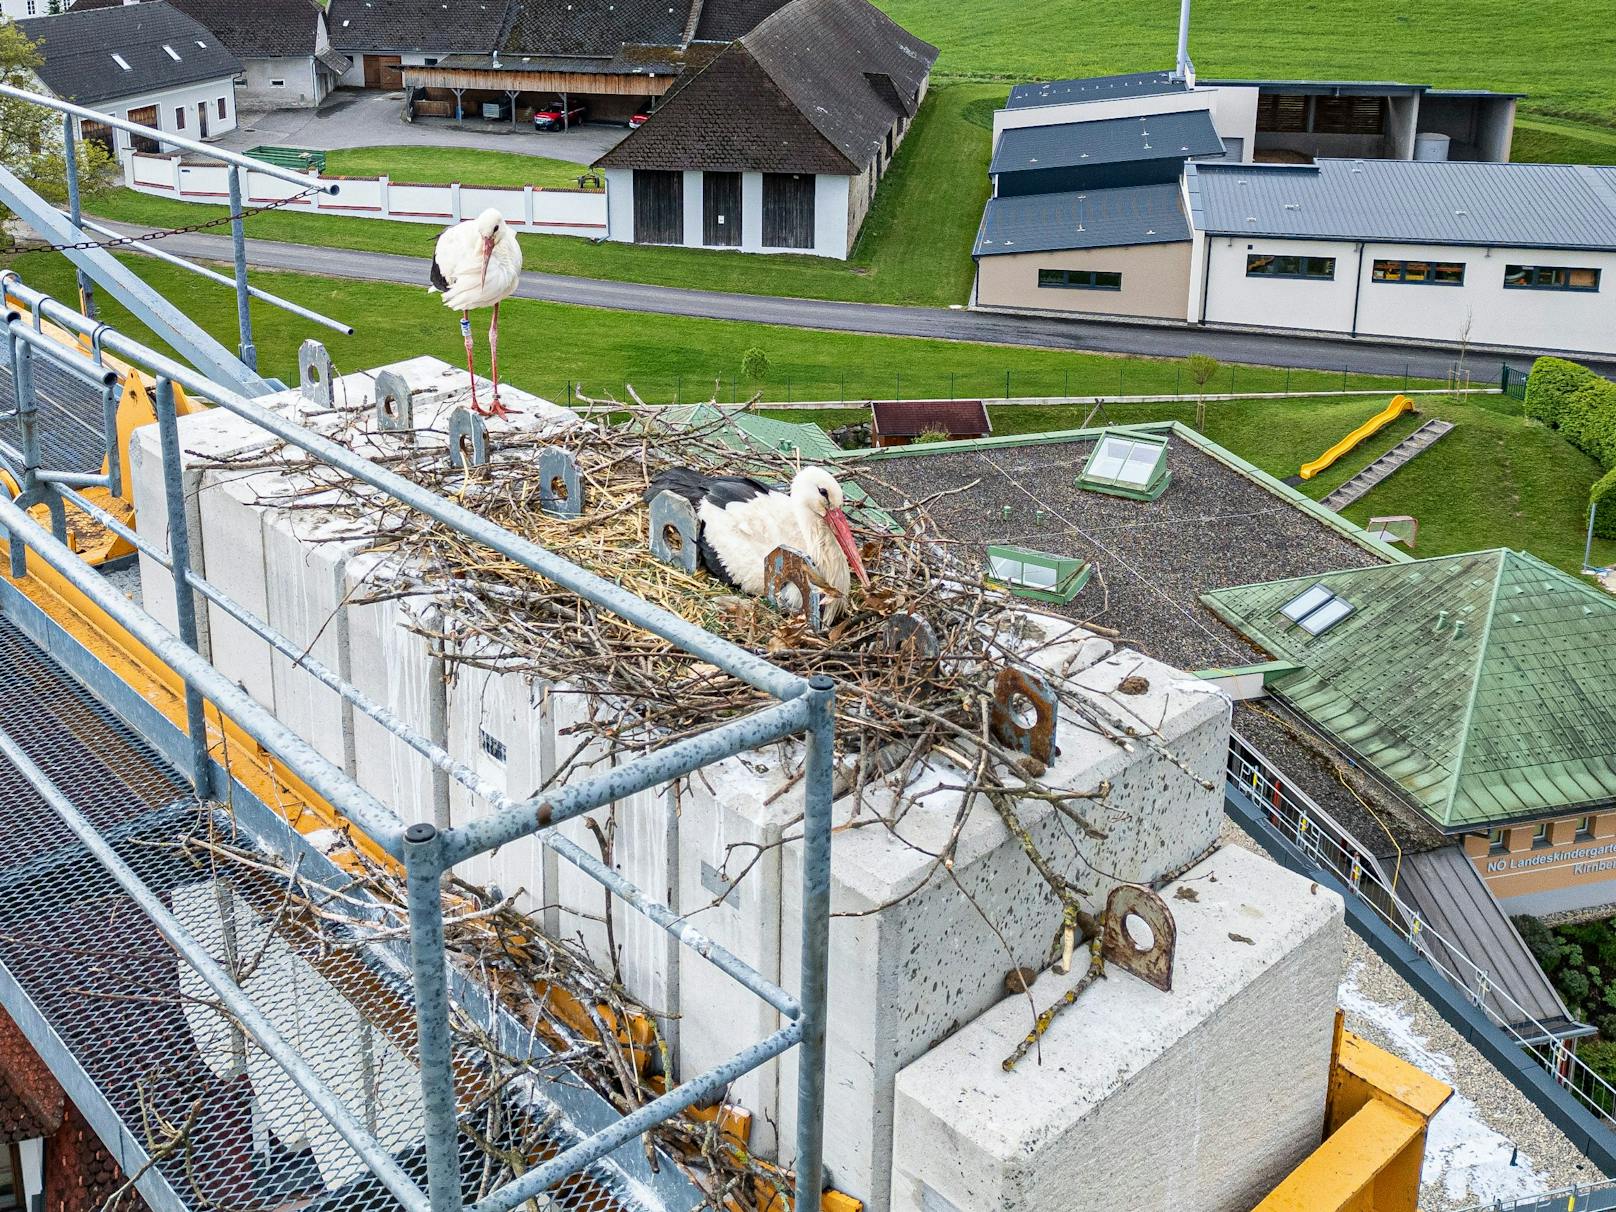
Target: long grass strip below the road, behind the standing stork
[[547, 347]]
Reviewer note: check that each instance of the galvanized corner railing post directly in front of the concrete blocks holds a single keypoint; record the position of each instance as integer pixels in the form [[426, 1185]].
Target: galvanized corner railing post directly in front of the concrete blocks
[[819, 776]]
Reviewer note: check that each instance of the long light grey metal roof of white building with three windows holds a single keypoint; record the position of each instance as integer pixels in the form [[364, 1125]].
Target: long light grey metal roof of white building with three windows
[[1410, 203]]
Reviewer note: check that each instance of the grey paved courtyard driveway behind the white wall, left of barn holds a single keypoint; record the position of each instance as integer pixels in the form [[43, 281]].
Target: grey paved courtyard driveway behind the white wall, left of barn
[[366, 119]]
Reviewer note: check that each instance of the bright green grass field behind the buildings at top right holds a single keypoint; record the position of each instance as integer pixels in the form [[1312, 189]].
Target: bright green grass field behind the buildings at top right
[[1491, 44]]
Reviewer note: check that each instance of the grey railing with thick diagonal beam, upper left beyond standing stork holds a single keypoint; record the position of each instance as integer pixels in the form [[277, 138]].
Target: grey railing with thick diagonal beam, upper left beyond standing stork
[[69, 232]]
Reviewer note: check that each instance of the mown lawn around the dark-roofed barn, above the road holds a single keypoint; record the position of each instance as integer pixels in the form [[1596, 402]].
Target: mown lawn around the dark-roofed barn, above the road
[[914, 248]]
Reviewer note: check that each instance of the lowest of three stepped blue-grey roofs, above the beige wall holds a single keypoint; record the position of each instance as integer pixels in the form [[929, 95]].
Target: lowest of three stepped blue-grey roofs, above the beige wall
[[1087, 219]]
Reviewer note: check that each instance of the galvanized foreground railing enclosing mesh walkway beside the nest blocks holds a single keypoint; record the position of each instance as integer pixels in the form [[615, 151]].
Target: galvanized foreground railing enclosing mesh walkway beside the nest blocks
[[426, 852]]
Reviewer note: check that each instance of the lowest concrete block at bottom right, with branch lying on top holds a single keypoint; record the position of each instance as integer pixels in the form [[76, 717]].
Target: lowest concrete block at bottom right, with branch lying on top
[[1203, 1098]]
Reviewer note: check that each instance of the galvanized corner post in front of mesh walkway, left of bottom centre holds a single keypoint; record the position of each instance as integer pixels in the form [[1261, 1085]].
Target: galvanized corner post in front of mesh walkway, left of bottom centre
[[424, 869]]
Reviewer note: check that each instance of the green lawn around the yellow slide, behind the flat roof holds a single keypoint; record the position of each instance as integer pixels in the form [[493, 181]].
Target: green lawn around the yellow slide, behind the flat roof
[[1496, 481]]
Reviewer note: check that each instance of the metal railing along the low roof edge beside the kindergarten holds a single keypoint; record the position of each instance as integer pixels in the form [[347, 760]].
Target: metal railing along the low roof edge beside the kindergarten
[[1310, 831]]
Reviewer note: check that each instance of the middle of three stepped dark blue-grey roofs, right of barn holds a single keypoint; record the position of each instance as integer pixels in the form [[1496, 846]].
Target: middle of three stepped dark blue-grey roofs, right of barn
[[1108, 141]]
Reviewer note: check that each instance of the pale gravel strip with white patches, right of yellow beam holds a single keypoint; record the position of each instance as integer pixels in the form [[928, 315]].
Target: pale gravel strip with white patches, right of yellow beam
[[1486, 1124]]
